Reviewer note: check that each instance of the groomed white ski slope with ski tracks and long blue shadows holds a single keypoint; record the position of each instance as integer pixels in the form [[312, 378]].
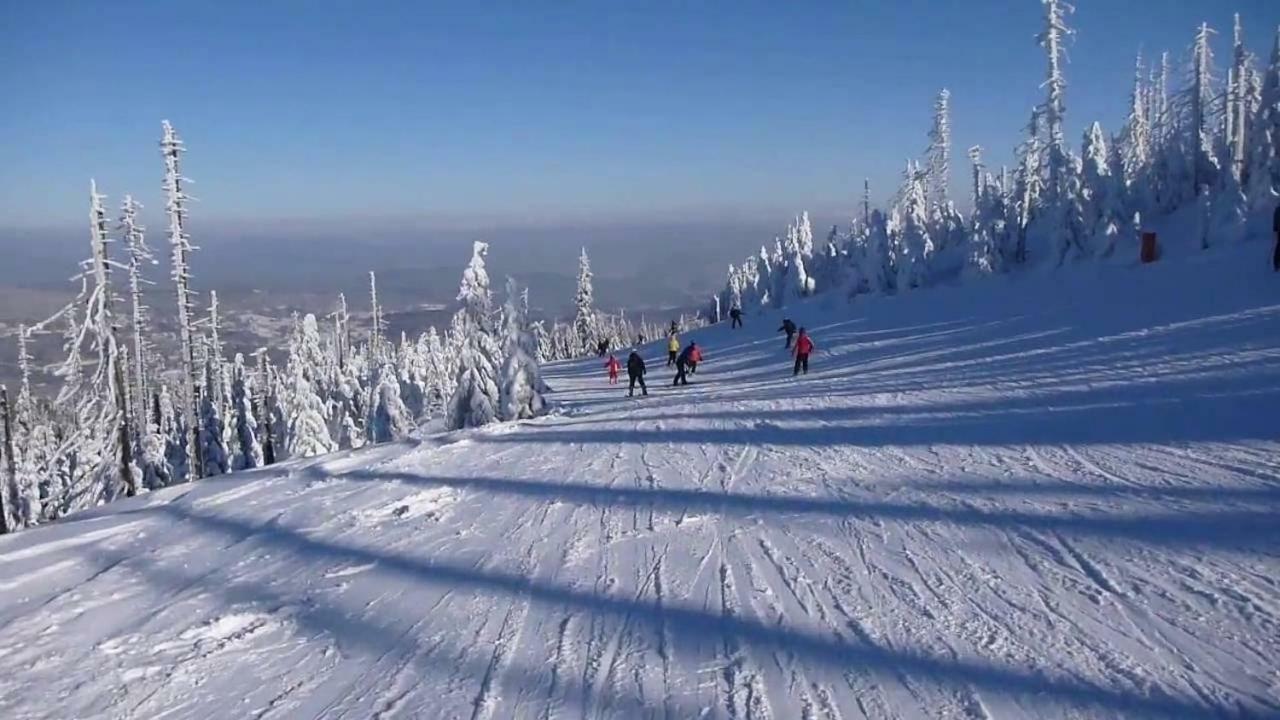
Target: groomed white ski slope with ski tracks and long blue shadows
[[1041, 496]]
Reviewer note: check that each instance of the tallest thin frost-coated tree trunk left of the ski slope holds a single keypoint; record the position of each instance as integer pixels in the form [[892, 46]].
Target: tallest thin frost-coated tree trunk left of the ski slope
[[180, 243]]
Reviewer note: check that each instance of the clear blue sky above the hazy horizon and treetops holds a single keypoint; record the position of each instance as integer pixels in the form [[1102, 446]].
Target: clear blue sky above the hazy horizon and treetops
[[477, 113]]
